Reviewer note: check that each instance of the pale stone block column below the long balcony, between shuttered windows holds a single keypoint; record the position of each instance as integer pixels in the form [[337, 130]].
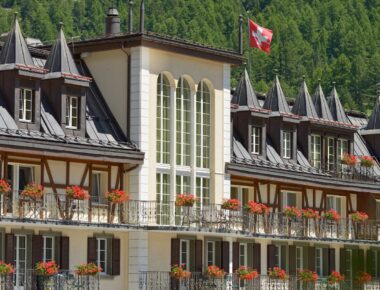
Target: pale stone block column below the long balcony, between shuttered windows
[[137, 257]]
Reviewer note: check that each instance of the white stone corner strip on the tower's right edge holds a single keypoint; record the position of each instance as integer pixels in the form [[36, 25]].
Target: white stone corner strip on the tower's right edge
[[227, 125]]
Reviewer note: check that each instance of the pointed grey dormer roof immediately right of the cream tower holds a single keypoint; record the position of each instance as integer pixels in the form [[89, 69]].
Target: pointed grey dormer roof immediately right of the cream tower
[[244, 96]]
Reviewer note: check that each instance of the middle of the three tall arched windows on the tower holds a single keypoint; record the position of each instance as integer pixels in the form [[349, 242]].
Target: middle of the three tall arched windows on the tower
[[183, 108]]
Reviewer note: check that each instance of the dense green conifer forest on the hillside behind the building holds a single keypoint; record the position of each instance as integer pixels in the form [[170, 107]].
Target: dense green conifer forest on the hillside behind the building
[[331, 40]]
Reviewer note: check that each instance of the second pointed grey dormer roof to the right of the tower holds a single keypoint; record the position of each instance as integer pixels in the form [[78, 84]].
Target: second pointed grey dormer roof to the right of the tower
[[275, 100]]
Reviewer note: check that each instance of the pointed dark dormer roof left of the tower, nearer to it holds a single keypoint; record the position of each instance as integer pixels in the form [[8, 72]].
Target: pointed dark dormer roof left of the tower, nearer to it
[[60, 59]]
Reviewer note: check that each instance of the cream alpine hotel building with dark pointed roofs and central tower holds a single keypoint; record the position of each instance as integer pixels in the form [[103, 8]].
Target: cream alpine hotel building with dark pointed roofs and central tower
[[156, 117]]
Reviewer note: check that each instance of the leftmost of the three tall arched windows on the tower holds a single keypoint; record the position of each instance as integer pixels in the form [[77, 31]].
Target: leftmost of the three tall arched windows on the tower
[[163, 119]]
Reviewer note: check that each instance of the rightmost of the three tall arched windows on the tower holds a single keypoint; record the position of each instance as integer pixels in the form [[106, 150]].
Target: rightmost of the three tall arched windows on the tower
[[203, 131]]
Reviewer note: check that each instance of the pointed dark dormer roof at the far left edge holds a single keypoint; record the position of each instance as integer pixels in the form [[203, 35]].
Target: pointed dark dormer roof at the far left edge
[[15, 50]]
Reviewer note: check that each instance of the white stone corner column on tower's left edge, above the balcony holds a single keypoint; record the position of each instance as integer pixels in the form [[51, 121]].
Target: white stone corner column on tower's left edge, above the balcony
[[139, 122]]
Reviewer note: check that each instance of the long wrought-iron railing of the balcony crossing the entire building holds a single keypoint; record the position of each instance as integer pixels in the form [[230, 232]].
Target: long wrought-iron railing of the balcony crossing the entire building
[[54, 208]]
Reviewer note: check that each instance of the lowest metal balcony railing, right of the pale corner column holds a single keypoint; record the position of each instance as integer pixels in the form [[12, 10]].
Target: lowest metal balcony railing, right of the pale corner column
[[163, 280]]
